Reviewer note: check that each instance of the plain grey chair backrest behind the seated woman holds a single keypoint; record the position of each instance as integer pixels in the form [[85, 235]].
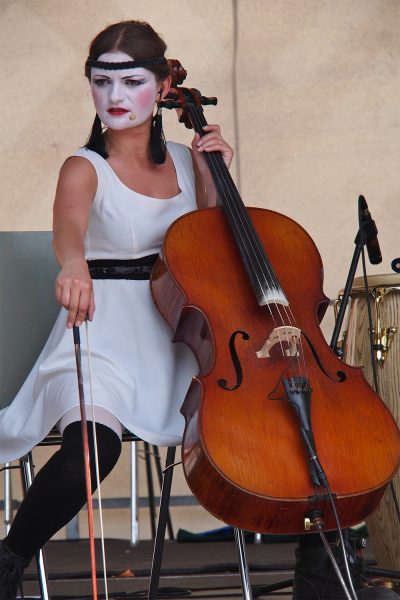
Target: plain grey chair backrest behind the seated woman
[[27, 304]]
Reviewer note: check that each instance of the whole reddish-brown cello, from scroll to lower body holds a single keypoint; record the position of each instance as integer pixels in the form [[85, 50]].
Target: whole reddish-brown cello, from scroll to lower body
[[280, 435]]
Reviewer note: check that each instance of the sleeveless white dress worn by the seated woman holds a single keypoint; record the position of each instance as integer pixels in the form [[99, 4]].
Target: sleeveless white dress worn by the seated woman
[[137, 373]]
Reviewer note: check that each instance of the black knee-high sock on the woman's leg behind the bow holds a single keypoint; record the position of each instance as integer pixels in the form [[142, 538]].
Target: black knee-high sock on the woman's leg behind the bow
[[58, 491]]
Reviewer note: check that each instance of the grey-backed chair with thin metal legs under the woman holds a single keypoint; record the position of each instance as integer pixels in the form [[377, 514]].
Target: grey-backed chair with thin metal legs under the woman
[[27, 313]]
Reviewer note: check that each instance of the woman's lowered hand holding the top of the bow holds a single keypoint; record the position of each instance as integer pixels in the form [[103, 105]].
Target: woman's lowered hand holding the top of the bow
[[74, 291]]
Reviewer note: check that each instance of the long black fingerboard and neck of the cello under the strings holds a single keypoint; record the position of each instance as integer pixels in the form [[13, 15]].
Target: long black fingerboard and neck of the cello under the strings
[[255, 260]]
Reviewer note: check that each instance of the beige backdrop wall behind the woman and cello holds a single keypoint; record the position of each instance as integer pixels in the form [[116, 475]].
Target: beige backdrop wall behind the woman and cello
[[311, 103]]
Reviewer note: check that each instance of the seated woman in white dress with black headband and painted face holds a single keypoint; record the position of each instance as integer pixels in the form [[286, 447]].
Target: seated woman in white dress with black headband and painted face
[[114, 201]]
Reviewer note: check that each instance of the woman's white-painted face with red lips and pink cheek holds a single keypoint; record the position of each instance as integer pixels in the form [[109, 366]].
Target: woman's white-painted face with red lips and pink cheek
[[119, 94]]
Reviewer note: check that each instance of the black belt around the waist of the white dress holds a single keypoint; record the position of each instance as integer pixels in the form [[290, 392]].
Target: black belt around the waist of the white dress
[[138, 268]]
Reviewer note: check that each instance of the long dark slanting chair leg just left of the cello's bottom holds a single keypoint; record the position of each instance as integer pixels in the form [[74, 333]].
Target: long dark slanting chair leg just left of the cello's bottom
[[162, 522]]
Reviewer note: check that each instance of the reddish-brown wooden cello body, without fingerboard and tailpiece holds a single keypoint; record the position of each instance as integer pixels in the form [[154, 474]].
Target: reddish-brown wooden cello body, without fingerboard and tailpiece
[[242, 453]]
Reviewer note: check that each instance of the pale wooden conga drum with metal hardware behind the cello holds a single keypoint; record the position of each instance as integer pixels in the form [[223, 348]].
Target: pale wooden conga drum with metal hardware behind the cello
[[384, 298]]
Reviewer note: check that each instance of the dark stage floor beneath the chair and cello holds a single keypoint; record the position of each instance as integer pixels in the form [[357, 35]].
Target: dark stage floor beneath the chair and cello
[[189, 570]]
